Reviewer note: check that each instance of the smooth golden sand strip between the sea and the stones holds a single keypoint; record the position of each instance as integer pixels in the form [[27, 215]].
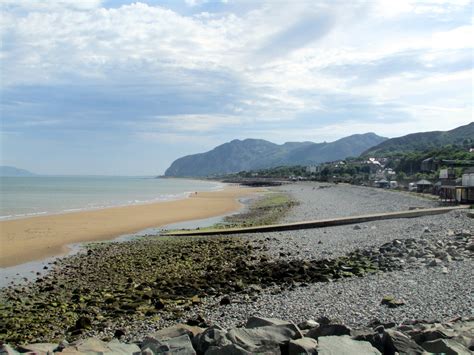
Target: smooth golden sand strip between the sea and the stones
[[35, 238]]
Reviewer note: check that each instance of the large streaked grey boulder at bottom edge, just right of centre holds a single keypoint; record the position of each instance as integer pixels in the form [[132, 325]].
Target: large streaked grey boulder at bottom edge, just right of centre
[[263, 339]]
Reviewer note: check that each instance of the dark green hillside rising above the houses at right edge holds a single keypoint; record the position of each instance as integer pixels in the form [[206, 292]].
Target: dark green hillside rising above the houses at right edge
[[423, 141]]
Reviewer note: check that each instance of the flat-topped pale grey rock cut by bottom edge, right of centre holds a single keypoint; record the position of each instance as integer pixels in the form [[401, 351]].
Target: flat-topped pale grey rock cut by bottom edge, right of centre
[[344, 345]]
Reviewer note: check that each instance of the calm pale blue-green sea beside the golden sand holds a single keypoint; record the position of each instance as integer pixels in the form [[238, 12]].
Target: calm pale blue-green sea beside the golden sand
[[30, 196]]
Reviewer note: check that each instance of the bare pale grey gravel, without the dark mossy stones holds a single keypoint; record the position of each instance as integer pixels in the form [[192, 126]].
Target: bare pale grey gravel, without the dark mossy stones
[[428, 293]]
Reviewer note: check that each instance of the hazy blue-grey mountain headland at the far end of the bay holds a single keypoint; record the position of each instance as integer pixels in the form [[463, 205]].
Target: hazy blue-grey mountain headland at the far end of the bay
[[252, 154]]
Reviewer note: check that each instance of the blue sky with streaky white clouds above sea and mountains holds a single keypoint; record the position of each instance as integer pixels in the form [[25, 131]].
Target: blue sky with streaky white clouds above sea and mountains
[[124, 88]]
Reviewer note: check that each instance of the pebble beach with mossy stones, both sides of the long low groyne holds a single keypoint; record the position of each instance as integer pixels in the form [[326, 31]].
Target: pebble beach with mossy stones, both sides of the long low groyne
[[385, 272]]
